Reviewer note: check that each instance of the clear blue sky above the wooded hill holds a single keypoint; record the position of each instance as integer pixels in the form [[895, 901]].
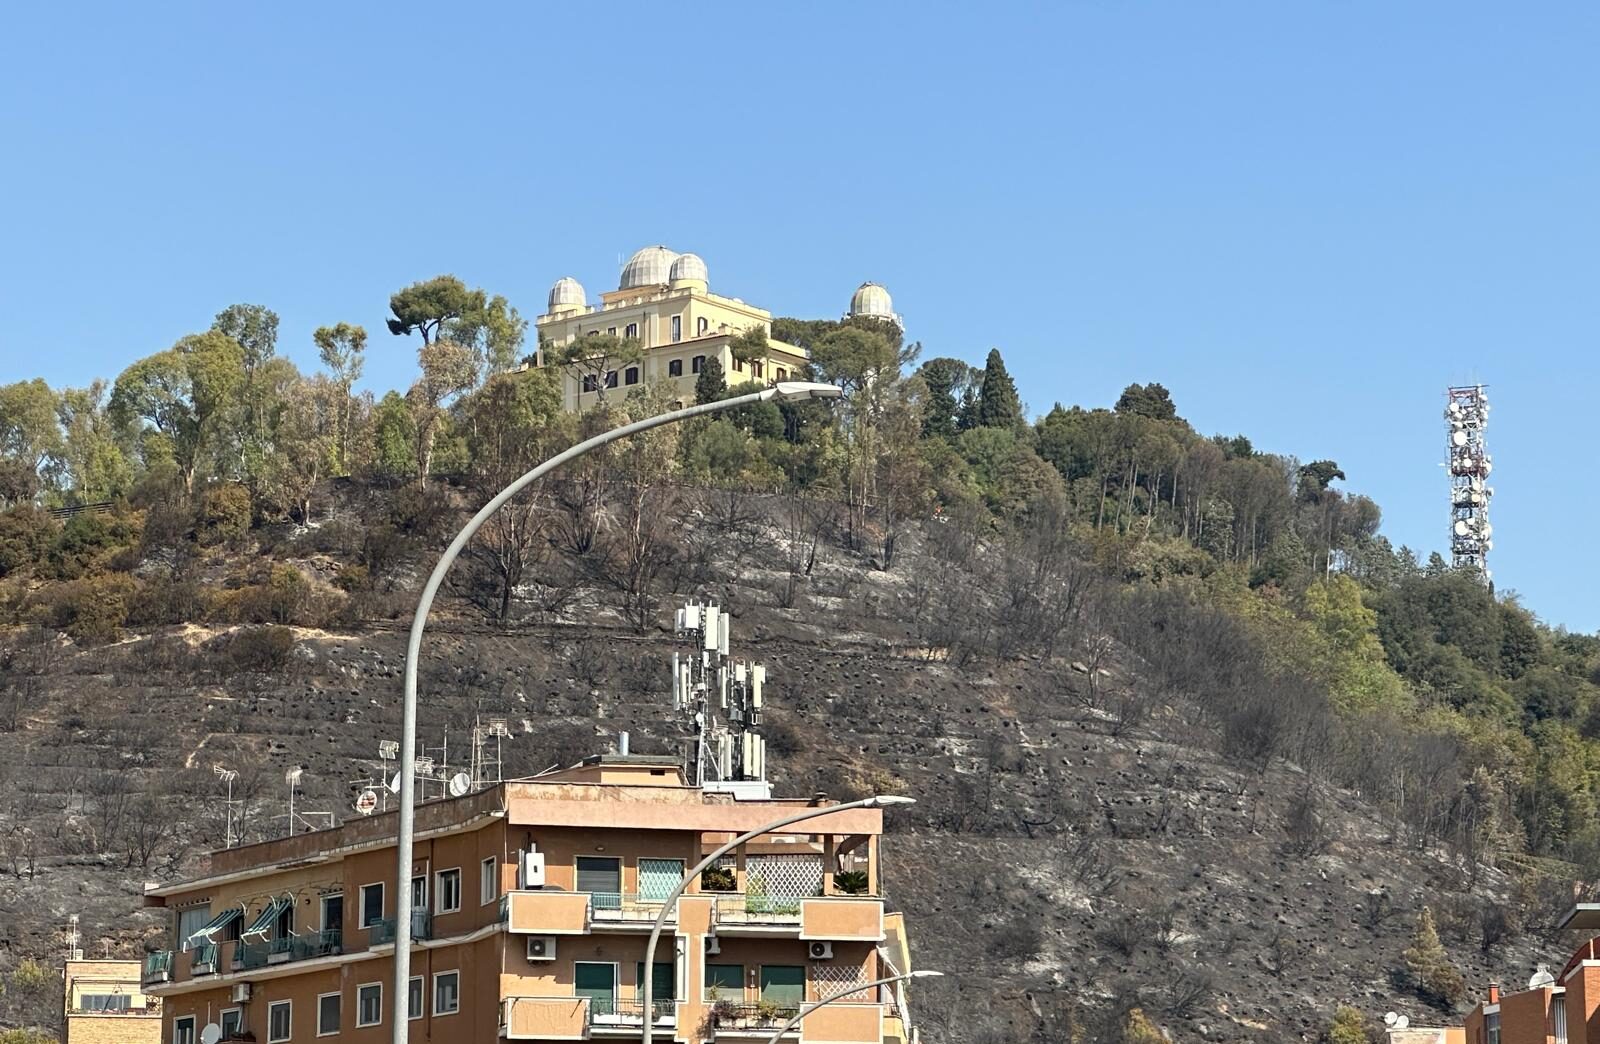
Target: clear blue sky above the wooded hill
[[1305, 219]]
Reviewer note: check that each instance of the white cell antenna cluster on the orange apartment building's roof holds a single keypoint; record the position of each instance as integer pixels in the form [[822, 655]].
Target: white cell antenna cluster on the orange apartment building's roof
[[722, 701]]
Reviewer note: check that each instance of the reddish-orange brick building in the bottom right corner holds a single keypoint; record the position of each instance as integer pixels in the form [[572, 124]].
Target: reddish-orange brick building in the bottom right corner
[[1554, 1010]]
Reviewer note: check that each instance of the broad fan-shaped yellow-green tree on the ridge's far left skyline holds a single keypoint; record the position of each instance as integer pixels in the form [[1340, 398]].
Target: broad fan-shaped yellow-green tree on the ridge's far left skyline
[[183, 395]]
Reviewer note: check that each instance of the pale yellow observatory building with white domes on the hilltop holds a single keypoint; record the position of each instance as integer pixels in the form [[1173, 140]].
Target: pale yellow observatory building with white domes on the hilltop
[[665, 305]]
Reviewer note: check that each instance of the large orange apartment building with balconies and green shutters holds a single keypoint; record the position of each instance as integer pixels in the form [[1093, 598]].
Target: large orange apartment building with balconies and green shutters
[[534, 905]]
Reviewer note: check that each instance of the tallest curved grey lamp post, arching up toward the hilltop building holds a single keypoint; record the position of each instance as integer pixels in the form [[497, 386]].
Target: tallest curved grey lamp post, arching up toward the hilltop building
[[404, 851]]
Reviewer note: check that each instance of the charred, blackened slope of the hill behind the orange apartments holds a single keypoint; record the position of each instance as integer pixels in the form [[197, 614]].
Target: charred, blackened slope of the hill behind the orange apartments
[[1079, 848]]
